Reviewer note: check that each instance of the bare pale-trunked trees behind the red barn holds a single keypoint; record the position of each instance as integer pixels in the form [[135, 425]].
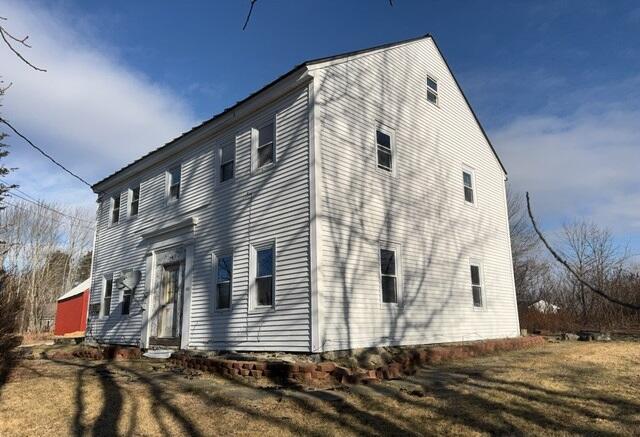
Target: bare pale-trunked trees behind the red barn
[[44, 255]]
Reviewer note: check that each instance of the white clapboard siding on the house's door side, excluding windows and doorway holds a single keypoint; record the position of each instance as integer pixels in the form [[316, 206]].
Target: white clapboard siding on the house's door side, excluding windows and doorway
[[228, 221]]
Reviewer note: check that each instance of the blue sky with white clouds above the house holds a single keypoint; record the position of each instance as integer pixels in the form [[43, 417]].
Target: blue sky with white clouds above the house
[[555, 83]]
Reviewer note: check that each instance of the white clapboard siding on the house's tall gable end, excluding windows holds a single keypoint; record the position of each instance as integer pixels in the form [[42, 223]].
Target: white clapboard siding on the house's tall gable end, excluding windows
[[421, 208]]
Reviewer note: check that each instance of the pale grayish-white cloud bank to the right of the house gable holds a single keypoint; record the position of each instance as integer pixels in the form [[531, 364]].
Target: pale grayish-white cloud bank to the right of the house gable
[[584, 164]]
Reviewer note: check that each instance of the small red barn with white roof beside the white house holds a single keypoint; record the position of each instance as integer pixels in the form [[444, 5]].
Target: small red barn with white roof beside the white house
[[71, 312]]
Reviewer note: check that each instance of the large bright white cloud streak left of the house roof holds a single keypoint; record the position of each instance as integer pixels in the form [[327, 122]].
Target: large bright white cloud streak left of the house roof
[[90, 110]]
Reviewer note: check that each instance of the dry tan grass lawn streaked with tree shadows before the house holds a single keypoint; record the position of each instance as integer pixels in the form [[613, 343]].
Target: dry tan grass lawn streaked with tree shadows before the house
[[556, 389]]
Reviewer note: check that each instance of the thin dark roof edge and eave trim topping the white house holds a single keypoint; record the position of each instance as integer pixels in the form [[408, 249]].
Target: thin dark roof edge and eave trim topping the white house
[[293, 70]]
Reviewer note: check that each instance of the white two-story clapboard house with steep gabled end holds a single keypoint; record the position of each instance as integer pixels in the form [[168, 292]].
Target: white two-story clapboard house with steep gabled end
[[355, 201]]
